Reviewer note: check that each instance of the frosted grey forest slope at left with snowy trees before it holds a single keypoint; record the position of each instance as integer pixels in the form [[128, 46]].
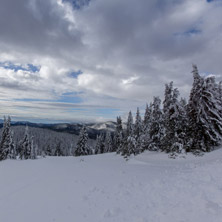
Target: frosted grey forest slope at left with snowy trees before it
[[23, 142]]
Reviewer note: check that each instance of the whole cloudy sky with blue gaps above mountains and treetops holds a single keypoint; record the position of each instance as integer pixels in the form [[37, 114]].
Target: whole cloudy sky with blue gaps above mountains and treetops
[[91, 60]]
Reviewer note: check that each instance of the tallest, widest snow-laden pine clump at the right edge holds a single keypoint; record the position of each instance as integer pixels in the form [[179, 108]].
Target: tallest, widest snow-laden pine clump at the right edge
[[204, 111]]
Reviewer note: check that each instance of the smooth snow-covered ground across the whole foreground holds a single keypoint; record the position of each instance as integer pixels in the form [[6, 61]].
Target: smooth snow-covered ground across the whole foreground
[[147, 188]]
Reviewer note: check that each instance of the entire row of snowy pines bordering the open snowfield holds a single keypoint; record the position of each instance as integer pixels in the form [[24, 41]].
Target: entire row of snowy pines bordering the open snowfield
[[173, 126]]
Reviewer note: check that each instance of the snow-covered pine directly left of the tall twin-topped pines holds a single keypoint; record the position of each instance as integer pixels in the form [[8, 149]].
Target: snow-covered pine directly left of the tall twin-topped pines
[[156, 128]]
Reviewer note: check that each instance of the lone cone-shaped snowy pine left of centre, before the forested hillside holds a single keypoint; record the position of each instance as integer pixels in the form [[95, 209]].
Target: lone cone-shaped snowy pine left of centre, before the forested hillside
[[82, 146]]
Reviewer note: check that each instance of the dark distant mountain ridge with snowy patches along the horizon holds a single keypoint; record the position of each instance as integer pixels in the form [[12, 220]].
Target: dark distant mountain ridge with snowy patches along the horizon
[[93, 129]]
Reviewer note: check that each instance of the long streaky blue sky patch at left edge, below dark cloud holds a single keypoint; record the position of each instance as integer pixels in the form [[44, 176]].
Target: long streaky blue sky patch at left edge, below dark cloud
[[16, 67]]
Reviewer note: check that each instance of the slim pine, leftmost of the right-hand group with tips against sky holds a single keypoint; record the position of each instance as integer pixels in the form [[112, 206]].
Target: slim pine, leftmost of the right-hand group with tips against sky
[[118, 136]]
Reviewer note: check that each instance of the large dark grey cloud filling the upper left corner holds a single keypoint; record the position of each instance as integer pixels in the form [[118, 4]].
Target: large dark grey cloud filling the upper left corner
[[36, 27]]
